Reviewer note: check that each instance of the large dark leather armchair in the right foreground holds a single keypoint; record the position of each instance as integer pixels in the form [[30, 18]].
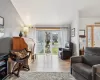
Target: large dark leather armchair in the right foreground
[[87, 66]]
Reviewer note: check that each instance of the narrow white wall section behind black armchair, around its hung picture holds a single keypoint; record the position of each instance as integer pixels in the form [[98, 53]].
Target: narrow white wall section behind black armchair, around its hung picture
[[75, 40]]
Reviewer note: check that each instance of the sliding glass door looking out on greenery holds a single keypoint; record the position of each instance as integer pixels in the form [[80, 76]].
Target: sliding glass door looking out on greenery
[[47, 41]]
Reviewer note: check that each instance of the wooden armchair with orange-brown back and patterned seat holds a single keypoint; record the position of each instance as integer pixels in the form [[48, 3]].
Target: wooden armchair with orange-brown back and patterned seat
[[19, 55]]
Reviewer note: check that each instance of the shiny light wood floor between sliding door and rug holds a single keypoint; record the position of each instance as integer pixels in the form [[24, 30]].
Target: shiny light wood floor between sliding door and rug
[[48, 63]]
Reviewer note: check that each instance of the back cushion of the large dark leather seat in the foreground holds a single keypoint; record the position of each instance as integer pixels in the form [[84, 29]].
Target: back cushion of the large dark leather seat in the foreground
[[92, 56]]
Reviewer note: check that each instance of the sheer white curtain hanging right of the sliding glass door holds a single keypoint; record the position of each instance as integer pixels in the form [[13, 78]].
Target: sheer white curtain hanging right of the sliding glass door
[[63, 36]]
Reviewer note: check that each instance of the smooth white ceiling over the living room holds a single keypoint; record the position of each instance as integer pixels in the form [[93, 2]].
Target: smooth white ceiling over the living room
[[50, 11]]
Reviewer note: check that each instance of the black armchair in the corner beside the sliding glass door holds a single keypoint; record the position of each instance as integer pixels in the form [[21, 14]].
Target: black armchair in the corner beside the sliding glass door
[[66, 52]]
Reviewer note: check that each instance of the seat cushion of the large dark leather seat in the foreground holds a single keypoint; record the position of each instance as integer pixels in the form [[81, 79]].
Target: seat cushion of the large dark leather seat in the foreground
[[83, 69]]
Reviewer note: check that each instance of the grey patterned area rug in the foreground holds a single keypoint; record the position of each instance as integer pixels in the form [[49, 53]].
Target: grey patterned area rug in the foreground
[[45, 76]]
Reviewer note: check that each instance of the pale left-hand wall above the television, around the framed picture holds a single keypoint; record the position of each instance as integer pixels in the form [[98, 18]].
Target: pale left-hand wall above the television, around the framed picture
[[12, 20]]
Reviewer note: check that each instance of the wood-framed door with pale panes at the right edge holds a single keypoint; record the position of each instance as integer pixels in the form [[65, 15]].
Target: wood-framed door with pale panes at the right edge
[[93, 36]]
